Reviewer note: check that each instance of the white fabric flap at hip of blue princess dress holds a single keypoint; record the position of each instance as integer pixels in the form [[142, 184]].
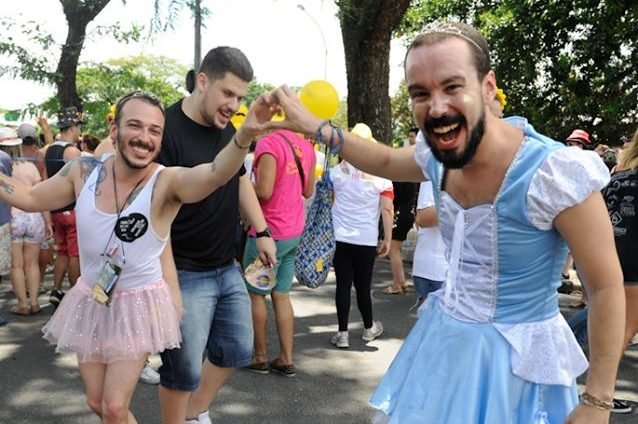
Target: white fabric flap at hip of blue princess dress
[[544, 352]]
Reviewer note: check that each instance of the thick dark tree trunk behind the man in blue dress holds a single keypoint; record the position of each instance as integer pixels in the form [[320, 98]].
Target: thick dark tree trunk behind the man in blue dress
[[366, 27]]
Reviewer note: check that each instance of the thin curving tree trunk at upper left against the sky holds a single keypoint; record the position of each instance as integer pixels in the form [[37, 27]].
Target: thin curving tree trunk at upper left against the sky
[[78, 15]]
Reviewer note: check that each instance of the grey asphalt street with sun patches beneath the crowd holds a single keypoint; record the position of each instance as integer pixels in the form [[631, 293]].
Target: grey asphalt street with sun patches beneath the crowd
[[332, 386]]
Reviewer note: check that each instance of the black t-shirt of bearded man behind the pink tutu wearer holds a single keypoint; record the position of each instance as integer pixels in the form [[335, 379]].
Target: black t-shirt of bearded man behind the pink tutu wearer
[[203, 233]]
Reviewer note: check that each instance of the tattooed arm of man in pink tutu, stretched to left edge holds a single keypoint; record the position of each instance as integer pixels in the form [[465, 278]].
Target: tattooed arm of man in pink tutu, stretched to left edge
[[53, 193]]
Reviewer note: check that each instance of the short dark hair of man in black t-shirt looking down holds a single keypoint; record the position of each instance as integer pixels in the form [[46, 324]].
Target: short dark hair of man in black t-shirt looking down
[[221, 60]]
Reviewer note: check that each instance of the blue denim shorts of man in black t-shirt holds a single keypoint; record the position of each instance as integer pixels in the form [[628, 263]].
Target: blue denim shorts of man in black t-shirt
[[217, 323]]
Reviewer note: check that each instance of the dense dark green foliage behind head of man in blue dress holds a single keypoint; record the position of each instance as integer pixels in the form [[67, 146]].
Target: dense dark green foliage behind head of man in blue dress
[[563, 64]]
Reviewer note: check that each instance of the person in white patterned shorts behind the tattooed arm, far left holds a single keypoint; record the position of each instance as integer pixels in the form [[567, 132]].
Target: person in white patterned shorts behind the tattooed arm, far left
[[28, 230]]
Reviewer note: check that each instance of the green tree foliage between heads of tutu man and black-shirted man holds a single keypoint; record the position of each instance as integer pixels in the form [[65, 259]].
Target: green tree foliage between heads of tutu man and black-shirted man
[[100, 85]]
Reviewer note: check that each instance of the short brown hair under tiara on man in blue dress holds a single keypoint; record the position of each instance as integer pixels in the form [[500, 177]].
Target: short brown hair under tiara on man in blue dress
[[440, 31]]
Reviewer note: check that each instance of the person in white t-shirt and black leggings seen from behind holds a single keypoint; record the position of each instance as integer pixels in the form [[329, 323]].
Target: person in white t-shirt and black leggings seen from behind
[[359, 200]]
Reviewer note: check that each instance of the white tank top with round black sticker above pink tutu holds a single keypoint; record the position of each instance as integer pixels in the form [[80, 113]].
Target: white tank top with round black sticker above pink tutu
[[141, 245]]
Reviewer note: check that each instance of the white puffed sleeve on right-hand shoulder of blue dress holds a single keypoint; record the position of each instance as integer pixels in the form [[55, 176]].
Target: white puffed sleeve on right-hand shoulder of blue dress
[[566, 178]]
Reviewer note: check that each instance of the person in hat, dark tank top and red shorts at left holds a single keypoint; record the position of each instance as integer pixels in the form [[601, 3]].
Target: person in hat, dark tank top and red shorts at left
[[67, 261]]
